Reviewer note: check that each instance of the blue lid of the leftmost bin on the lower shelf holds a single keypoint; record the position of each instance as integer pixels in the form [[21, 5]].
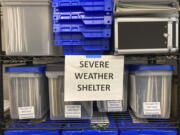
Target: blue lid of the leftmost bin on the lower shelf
[[27, 68]]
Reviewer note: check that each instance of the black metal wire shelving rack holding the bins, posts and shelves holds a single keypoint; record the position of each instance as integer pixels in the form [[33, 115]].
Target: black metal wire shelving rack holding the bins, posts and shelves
[[4, 59]]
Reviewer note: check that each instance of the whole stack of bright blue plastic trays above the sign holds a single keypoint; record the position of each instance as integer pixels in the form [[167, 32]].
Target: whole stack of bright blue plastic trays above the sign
[[82, 27]]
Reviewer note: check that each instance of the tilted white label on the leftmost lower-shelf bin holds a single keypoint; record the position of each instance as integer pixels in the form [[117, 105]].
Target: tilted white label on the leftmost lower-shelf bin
[[26, 112]]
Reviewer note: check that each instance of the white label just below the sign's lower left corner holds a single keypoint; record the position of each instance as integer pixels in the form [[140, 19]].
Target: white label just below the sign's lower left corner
[[72, 111]]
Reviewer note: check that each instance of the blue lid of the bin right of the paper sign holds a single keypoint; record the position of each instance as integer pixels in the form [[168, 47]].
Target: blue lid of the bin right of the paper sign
[[151, 67]]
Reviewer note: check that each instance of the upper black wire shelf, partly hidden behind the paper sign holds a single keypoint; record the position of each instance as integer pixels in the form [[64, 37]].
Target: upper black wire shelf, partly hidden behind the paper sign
[[23, 59]]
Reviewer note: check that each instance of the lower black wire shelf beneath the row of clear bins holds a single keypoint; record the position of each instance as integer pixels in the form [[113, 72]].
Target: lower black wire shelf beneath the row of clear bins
[[120, 121]]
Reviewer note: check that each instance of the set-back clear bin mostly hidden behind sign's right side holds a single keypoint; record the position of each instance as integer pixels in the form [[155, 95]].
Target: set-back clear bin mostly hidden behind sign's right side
[[115, 105]]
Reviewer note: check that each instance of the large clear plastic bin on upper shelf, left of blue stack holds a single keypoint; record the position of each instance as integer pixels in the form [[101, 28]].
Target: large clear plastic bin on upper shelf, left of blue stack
[[27, 28]]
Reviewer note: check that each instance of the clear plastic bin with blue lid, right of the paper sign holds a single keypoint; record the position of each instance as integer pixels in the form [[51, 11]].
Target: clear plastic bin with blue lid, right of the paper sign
[[150, 92]]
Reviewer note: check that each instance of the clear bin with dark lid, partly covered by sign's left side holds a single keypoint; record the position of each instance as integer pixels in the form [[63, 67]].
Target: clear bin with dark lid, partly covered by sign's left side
[[60, 110]]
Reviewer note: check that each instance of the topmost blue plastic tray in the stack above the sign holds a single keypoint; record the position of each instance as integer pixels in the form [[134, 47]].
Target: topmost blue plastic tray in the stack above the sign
[[90, 5]]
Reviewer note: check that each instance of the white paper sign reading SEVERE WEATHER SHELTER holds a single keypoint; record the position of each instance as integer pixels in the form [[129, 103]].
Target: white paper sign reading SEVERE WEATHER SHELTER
[[94, 79]]
